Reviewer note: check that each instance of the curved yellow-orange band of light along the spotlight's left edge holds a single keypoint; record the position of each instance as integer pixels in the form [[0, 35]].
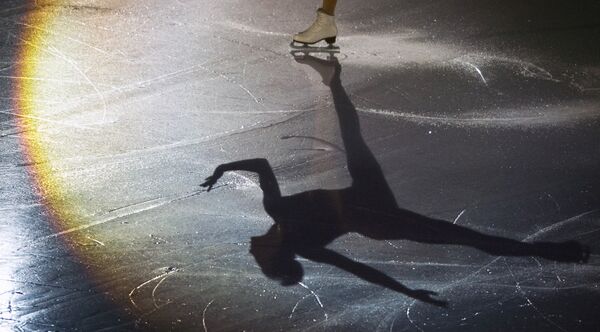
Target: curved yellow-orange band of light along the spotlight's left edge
[[34, 41]]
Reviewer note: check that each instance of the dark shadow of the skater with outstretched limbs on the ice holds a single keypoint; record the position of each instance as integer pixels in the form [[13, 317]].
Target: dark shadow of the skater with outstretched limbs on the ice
[[305, 223]]
